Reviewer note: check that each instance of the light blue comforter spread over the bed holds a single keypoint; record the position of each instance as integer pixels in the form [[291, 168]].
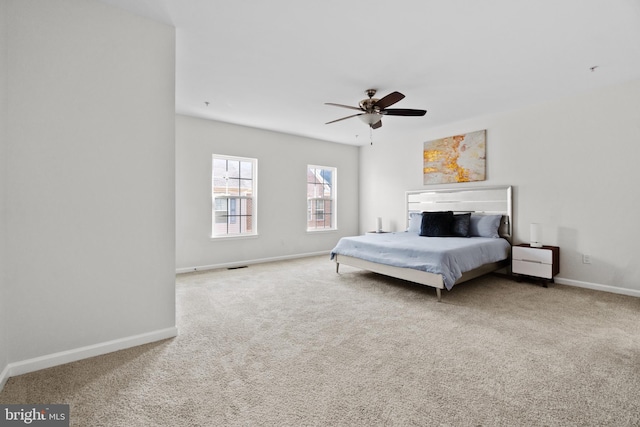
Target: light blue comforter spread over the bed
[[447, 256]]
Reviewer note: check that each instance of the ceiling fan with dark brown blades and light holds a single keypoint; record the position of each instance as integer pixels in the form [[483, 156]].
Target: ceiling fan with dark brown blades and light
[[372, 109]]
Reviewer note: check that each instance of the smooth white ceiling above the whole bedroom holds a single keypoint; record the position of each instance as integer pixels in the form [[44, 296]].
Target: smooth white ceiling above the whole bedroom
[[273, 64]]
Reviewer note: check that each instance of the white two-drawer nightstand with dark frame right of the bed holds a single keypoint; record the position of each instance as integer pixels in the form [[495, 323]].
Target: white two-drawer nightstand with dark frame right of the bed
[[543, 262]]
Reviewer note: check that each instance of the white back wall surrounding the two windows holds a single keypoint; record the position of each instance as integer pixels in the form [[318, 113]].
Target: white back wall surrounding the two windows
[[282, 163]]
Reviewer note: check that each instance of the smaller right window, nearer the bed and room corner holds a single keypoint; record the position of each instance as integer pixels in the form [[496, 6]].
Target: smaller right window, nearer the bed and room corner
[[321, 198]]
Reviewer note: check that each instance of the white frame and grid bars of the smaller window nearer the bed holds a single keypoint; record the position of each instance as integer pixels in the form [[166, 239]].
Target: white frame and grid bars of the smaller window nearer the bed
[[313, 200]]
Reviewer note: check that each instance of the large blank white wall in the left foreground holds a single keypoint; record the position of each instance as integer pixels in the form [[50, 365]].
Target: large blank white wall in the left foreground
[[90, 196]]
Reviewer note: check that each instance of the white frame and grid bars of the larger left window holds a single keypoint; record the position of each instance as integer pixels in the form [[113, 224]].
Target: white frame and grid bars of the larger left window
[[232, 199]]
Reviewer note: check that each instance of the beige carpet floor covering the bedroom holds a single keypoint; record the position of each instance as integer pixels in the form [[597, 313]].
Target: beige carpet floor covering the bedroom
[[295, 344]]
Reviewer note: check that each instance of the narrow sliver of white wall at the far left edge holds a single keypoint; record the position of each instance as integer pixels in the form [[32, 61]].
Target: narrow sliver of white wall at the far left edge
[[4, 350]]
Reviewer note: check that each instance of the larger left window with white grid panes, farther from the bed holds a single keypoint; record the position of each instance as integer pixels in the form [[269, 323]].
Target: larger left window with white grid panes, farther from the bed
[[233, 193]]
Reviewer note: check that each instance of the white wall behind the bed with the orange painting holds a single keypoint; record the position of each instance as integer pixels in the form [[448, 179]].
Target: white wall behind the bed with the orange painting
[[573, 165]]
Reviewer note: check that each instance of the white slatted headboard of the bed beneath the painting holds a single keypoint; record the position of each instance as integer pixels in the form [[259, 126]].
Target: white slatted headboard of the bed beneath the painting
[[482, 200]]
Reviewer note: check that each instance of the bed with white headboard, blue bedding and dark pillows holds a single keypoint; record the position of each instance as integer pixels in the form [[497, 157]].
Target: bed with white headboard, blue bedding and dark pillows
[[439, 262]]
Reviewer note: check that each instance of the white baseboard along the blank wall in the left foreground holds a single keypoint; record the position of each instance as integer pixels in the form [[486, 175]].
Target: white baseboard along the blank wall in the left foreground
[[55, 359]]
